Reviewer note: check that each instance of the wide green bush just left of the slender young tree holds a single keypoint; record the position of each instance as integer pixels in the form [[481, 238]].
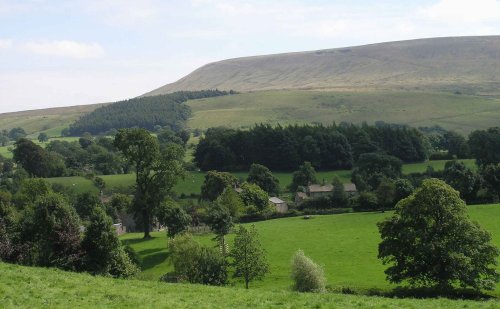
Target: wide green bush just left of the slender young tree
[[195, 263]]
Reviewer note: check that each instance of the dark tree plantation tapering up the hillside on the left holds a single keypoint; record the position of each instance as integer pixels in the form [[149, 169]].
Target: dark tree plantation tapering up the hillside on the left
[[143, 112]]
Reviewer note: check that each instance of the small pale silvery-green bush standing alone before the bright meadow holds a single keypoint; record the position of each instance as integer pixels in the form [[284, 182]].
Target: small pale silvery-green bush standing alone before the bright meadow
[[307, 275]]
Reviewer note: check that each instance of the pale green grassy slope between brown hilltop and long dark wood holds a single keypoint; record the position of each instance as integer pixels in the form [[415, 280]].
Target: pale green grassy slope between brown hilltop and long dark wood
[[462, 113]]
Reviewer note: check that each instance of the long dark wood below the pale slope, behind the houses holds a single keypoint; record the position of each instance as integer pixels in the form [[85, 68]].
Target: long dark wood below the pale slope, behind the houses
[[285, 148]]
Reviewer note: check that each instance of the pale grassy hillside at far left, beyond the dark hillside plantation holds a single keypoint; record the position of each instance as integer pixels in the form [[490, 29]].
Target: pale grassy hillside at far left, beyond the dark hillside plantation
[[50, 120]]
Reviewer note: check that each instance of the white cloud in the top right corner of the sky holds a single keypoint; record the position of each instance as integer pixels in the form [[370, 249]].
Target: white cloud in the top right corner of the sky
[[463, 11]]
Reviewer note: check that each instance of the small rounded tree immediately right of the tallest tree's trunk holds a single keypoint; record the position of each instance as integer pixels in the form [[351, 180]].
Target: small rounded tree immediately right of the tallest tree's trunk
[[174, 217]]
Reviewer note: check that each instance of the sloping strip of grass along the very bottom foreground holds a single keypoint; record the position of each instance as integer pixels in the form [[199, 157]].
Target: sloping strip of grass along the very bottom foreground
[[25, 287]]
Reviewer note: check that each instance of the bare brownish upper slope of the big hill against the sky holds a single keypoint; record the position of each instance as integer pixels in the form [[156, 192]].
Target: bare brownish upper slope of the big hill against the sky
[[457, 64]]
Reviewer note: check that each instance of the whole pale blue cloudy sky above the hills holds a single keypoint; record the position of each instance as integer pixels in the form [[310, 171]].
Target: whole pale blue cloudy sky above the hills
[[63, 53]]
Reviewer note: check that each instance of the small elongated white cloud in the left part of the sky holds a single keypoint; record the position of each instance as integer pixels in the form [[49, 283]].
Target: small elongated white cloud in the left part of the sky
[[65, 48]]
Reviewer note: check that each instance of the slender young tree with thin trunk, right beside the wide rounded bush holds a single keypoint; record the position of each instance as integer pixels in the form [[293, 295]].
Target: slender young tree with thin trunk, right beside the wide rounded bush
[[249, 258]]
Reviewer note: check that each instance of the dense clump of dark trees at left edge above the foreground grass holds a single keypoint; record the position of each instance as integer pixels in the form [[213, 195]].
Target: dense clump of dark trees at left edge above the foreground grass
[[40, 227]]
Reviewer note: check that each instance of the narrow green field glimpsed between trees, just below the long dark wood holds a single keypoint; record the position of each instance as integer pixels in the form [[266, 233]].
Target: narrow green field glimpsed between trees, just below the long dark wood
[[193, 180]]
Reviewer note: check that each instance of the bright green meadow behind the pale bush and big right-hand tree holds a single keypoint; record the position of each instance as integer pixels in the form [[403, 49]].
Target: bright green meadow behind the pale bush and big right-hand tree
[[346, 246]]
